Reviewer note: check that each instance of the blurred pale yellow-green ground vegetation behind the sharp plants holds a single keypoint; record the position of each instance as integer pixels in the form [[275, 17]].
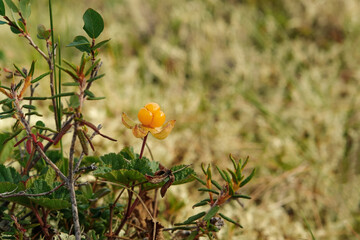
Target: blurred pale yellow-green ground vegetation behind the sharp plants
[[275, 80]]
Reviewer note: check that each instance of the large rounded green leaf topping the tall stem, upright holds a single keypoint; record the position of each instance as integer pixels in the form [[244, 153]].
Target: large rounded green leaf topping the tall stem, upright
[[93, 23]]
